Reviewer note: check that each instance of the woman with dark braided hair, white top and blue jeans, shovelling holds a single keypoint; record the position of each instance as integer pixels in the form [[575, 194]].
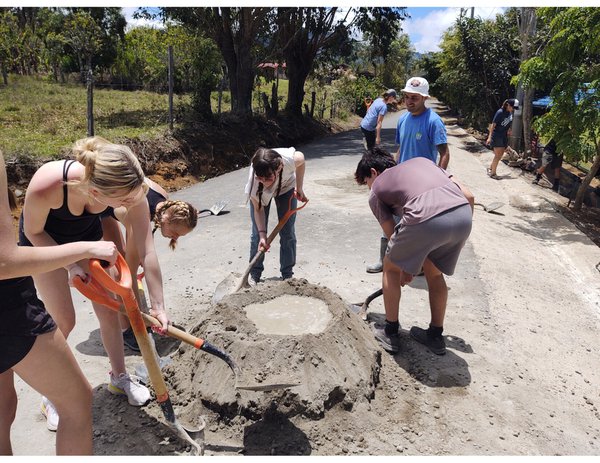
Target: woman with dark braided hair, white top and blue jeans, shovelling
[[275, 173]]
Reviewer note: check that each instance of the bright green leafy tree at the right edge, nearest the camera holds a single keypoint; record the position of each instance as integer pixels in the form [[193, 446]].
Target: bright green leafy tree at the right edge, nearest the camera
[[571, 62]]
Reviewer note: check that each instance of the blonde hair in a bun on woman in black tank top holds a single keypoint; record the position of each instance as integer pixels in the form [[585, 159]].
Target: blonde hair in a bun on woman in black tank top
[[110, 168]]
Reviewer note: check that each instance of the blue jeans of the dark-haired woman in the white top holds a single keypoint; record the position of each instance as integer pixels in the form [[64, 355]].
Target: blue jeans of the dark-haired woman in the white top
[[287, 238]]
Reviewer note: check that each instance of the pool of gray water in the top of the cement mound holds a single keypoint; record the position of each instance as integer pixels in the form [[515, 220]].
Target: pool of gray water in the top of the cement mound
[[290, 315]]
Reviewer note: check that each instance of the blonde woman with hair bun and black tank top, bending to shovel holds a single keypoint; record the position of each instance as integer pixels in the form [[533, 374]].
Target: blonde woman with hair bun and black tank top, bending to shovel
[[63, 204]]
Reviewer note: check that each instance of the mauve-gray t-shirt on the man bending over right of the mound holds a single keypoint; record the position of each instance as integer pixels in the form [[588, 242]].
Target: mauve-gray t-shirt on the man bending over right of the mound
[[415, 190]]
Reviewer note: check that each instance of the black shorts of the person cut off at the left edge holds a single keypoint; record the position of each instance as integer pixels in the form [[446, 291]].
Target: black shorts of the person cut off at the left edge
[[24, 317]]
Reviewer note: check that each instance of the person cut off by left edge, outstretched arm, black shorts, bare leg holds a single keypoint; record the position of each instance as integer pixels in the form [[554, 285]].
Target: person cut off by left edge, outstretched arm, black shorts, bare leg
[[31, 345]]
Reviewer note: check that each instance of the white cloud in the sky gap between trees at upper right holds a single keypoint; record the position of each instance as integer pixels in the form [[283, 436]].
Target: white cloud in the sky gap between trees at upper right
[[426, 32]]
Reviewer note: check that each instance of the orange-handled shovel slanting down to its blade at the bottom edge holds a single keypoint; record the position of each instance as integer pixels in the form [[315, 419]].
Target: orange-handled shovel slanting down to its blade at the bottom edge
[[96, 289]]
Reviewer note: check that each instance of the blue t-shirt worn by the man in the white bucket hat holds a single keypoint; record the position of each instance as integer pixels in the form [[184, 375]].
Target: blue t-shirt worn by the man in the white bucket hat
[[418, 136]]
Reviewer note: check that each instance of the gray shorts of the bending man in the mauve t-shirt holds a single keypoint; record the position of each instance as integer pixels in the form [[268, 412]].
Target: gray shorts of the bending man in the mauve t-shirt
[[439, 239]]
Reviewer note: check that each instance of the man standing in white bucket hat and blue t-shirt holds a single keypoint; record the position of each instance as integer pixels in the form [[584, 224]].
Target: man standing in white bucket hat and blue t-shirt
[[420, 133]]
